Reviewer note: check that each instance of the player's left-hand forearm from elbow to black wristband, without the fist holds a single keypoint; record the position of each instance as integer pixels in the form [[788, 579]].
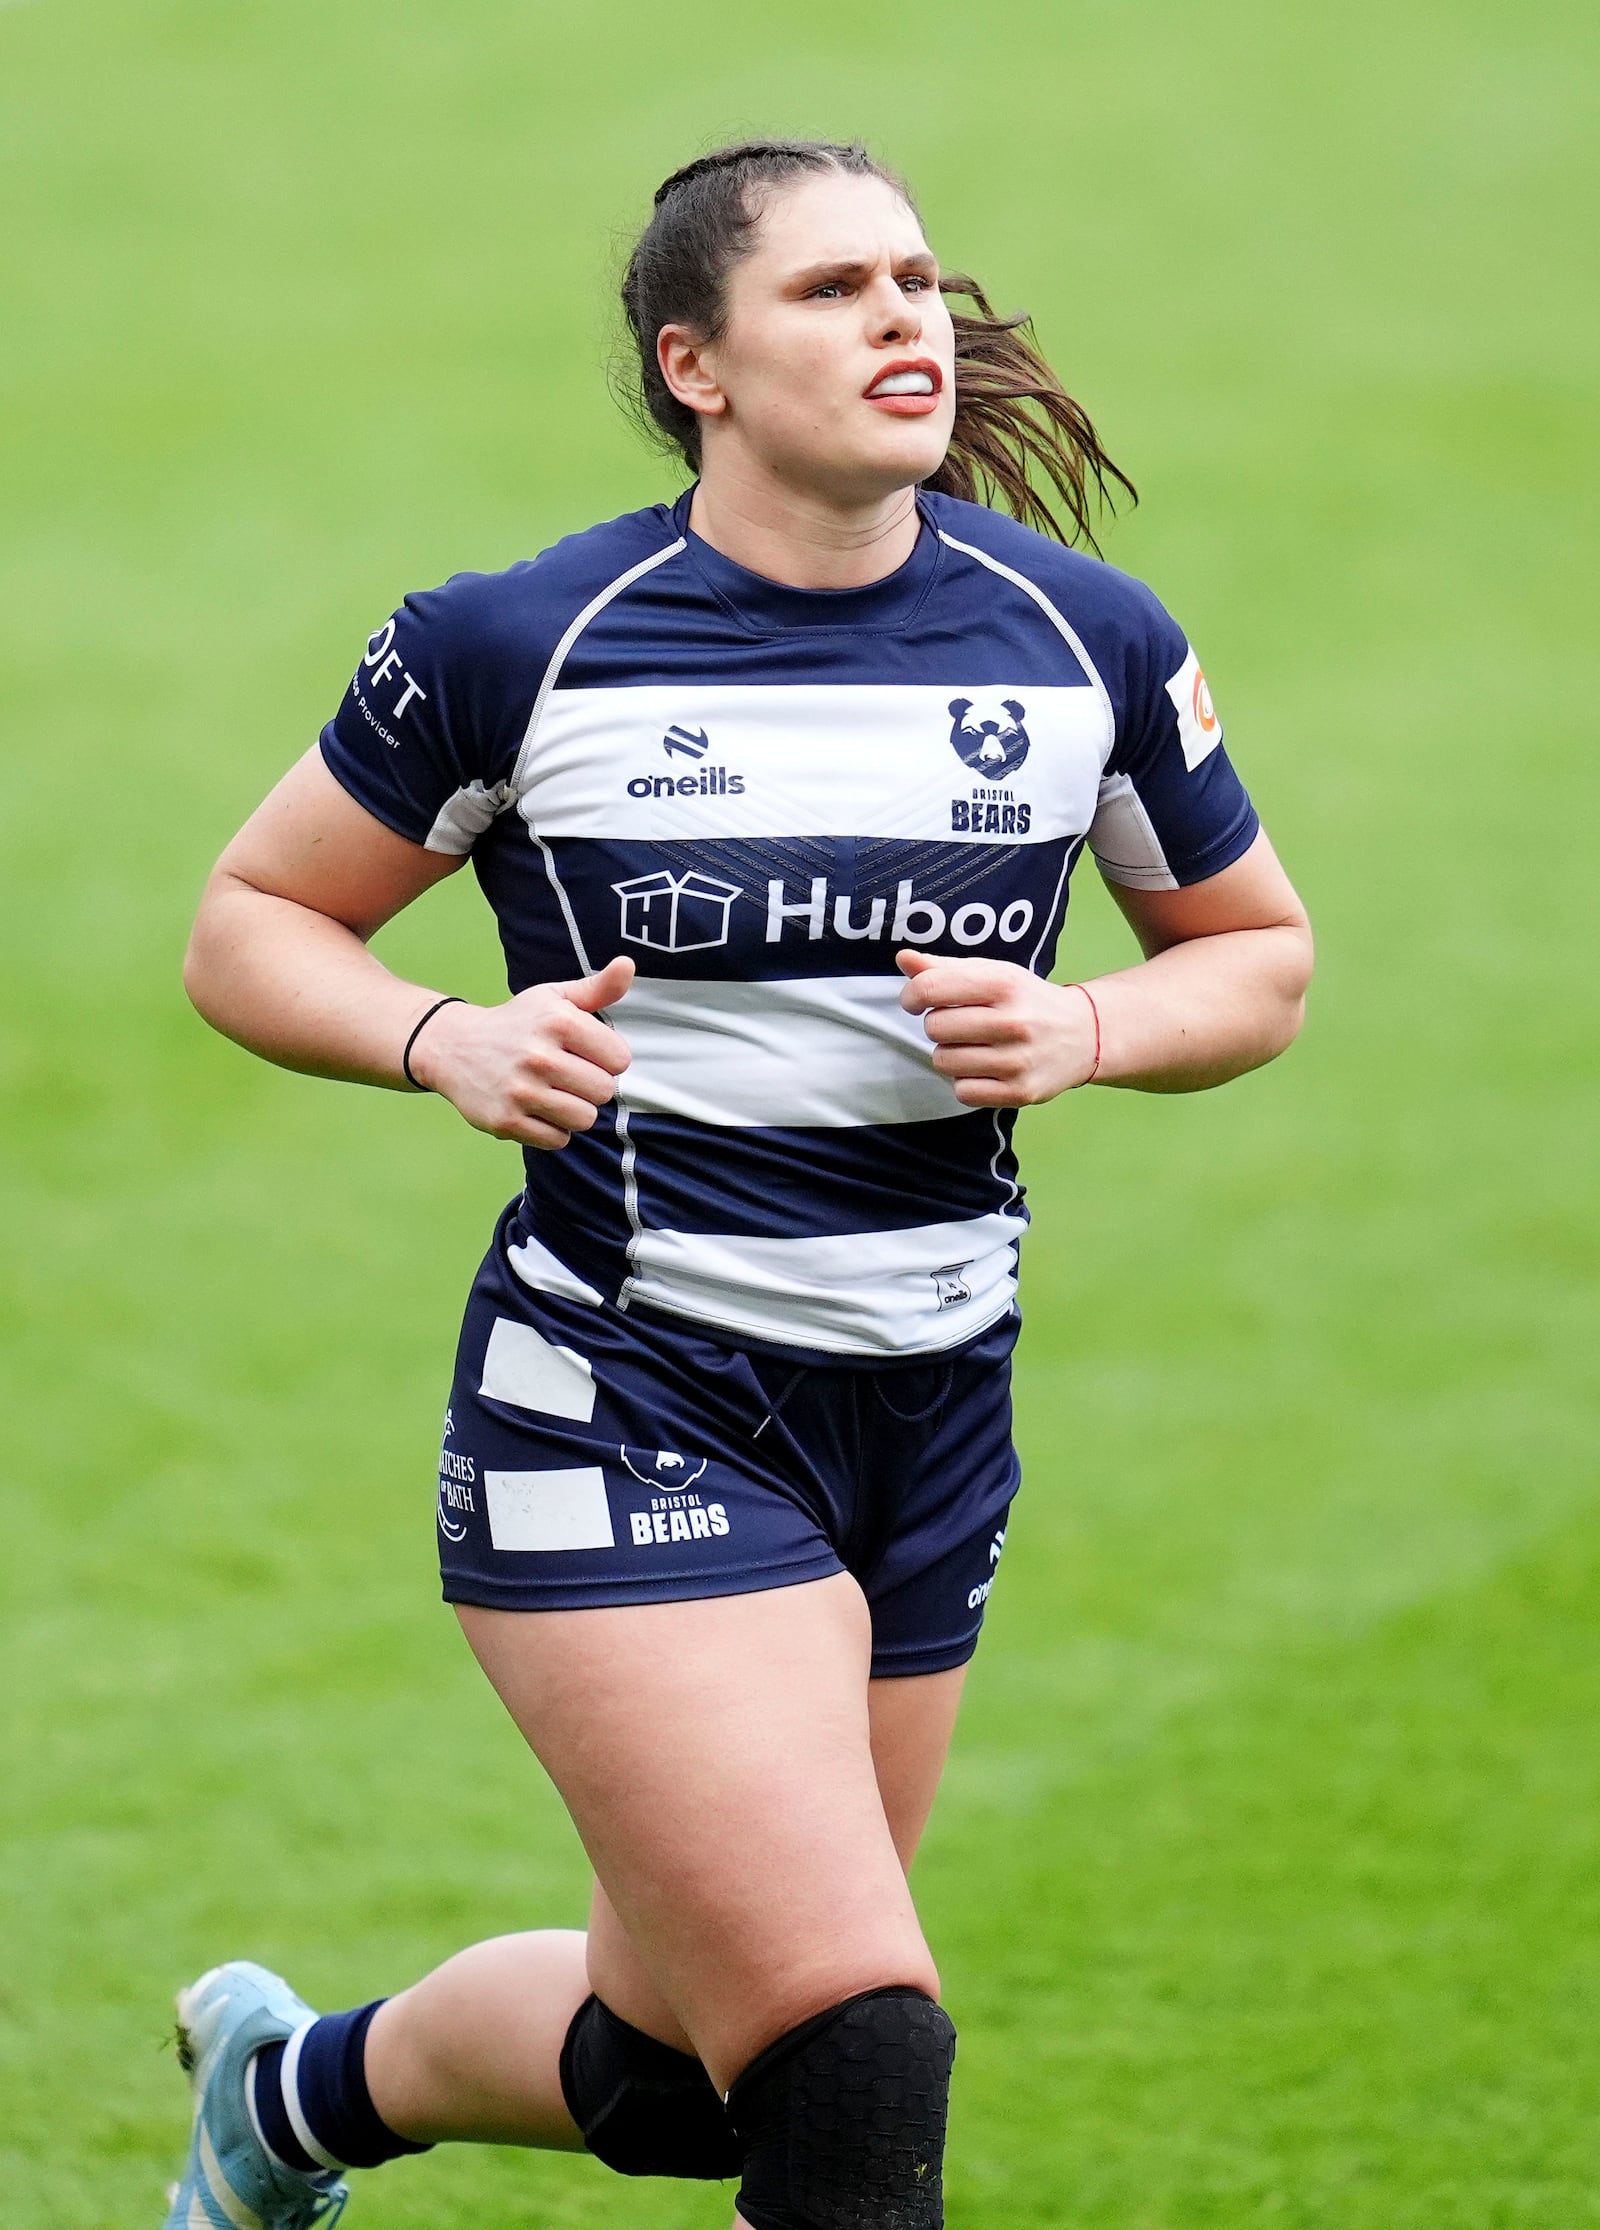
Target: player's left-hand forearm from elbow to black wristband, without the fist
[[298, 987]]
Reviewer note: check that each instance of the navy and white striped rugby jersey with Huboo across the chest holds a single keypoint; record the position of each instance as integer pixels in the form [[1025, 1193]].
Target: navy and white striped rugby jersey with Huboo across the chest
[[762, 793]]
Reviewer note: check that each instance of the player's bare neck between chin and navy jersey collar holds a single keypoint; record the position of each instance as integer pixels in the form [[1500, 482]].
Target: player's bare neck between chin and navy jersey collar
[[800, 539]]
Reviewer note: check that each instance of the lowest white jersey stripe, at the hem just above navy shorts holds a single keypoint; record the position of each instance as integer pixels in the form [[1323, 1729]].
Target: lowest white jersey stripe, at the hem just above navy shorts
[[854, 1295]]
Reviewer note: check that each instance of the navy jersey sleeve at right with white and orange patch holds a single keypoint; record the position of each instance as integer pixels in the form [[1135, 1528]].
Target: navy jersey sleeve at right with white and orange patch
[[1170, 811]]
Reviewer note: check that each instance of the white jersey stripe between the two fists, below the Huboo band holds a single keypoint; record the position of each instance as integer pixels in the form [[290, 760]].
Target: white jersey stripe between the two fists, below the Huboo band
[[818, 1051]]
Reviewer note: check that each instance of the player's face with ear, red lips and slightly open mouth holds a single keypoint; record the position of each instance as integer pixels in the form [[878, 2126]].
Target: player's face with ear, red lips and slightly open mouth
[[836, 371]]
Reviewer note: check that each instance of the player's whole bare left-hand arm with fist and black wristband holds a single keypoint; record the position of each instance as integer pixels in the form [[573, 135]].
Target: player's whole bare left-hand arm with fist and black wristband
[[280, 964]]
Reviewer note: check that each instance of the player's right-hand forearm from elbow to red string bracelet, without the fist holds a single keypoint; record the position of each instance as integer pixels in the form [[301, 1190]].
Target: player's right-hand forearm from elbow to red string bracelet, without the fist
[[1204, 1011]]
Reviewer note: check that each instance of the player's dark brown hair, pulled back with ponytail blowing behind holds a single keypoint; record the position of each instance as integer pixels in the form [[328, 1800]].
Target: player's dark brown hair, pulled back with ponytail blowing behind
[[1016, 427]]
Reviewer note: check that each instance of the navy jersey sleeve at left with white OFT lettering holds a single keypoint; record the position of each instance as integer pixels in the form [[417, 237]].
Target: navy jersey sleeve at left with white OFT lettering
[[432, 724]]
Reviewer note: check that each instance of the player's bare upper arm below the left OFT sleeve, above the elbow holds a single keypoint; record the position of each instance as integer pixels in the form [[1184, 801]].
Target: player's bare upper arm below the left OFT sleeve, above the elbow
[[311, 844]]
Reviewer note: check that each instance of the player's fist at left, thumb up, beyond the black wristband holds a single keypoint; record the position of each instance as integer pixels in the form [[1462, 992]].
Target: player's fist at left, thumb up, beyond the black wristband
[[534, 1069]]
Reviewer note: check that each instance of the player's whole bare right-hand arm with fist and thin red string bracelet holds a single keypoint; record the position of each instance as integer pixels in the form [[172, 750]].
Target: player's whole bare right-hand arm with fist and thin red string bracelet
[[1222, 989]]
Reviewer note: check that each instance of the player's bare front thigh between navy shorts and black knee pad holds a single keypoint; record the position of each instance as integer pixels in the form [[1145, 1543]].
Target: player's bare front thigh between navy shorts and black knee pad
[[717, 1761]]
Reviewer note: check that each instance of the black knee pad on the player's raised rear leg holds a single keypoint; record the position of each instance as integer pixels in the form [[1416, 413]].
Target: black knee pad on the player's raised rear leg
[[642, 2106]]
